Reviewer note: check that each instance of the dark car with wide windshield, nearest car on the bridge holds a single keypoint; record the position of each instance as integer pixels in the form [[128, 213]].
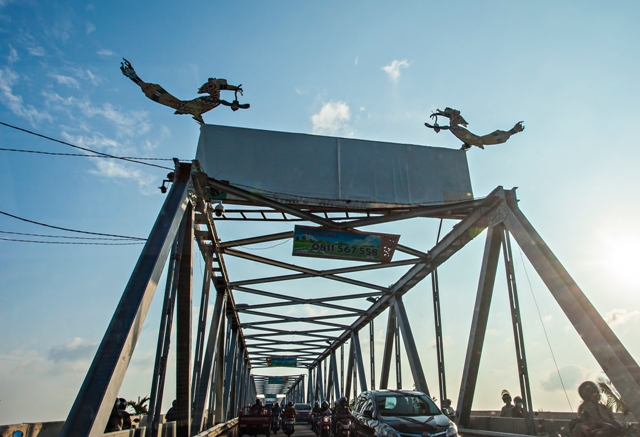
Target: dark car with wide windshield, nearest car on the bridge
[[400, 413]]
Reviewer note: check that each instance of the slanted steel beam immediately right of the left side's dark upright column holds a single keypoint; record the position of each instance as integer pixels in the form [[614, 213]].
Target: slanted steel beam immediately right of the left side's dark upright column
[[202, 389]]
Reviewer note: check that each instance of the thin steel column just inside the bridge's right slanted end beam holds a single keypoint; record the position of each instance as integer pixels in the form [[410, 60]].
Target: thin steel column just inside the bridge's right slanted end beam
[[518, 334]]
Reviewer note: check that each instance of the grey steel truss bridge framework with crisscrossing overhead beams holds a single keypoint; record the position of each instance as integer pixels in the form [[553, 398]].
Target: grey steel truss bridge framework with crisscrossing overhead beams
[[220, 372]]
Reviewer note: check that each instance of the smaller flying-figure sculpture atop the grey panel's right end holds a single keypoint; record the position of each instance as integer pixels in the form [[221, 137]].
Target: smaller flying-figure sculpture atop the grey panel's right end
[[456, 123]]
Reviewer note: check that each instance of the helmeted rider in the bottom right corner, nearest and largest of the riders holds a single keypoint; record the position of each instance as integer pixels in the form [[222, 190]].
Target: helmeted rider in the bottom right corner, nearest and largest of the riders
[[594, 419]]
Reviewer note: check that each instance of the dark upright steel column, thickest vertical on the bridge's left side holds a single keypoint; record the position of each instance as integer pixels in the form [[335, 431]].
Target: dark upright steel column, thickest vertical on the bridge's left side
[[184, 302]]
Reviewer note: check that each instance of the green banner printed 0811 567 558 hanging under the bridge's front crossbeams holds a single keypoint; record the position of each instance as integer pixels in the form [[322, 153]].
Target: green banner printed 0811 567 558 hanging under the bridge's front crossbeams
[[356, 246]]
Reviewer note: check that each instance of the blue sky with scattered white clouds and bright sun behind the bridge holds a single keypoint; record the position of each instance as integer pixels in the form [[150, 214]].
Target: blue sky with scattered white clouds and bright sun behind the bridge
[[368, 70]]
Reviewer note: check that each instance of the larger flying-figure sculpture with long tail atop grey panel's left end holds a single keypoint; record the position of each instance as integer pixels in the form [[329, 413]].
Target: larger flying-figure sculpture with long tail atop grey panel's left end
[[195, 107]]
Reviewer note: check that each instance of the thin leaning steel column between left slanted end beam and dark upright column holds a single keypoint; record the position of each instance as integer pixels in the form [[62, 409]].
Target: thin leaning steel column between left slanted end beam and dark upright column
[[164, 337]]
